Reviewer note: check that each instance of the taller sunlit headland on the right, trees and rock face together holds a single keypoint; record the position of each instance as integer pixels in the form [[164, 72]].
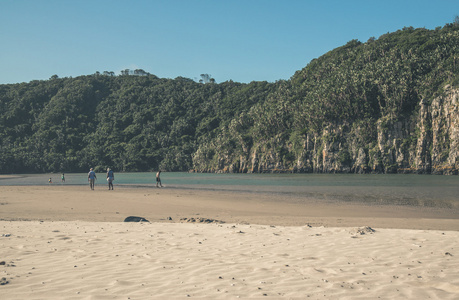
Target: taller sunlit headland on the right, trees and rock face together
[[388, 105]]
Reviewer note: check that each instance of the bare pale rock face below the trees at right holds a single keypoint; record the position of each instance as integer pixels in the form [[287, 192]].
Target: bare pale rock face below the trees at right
[[426, 142]]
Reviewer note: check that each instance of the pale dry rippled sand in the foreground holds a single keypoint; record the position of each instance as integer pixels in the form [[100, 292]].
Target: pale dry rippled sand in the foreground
[[111, 260]]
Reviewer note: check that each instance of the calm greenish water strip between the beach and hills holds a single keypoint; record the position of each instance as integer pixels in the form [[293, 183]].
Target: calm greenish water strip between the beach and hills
[[400, 189]]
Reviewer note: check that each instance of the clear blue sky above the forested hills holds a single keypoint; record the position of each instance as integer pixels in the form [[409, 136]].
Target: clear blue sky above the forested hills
[[239, 40]]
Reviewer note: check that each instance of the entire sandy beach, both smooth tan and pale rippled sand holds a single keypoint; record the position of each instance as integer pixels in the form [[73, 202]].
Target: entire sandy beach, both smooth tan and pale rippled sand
[[67, 242]]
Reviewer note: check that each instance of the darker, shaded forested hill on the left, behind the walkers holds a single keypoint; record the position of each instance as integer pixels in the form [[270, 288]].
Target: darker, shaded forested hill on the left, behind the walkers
[[130, 123]]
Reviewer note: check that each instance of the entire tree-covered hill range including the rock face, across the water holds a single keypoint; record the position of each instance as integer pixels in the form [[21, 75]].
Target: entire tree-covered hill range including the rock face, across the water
[[387, 105]]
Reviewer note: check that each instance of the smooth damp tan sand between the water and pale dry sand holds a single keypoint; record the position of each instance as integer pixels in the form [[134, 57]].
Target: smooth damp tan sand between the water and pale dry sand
[[75, 202]]
